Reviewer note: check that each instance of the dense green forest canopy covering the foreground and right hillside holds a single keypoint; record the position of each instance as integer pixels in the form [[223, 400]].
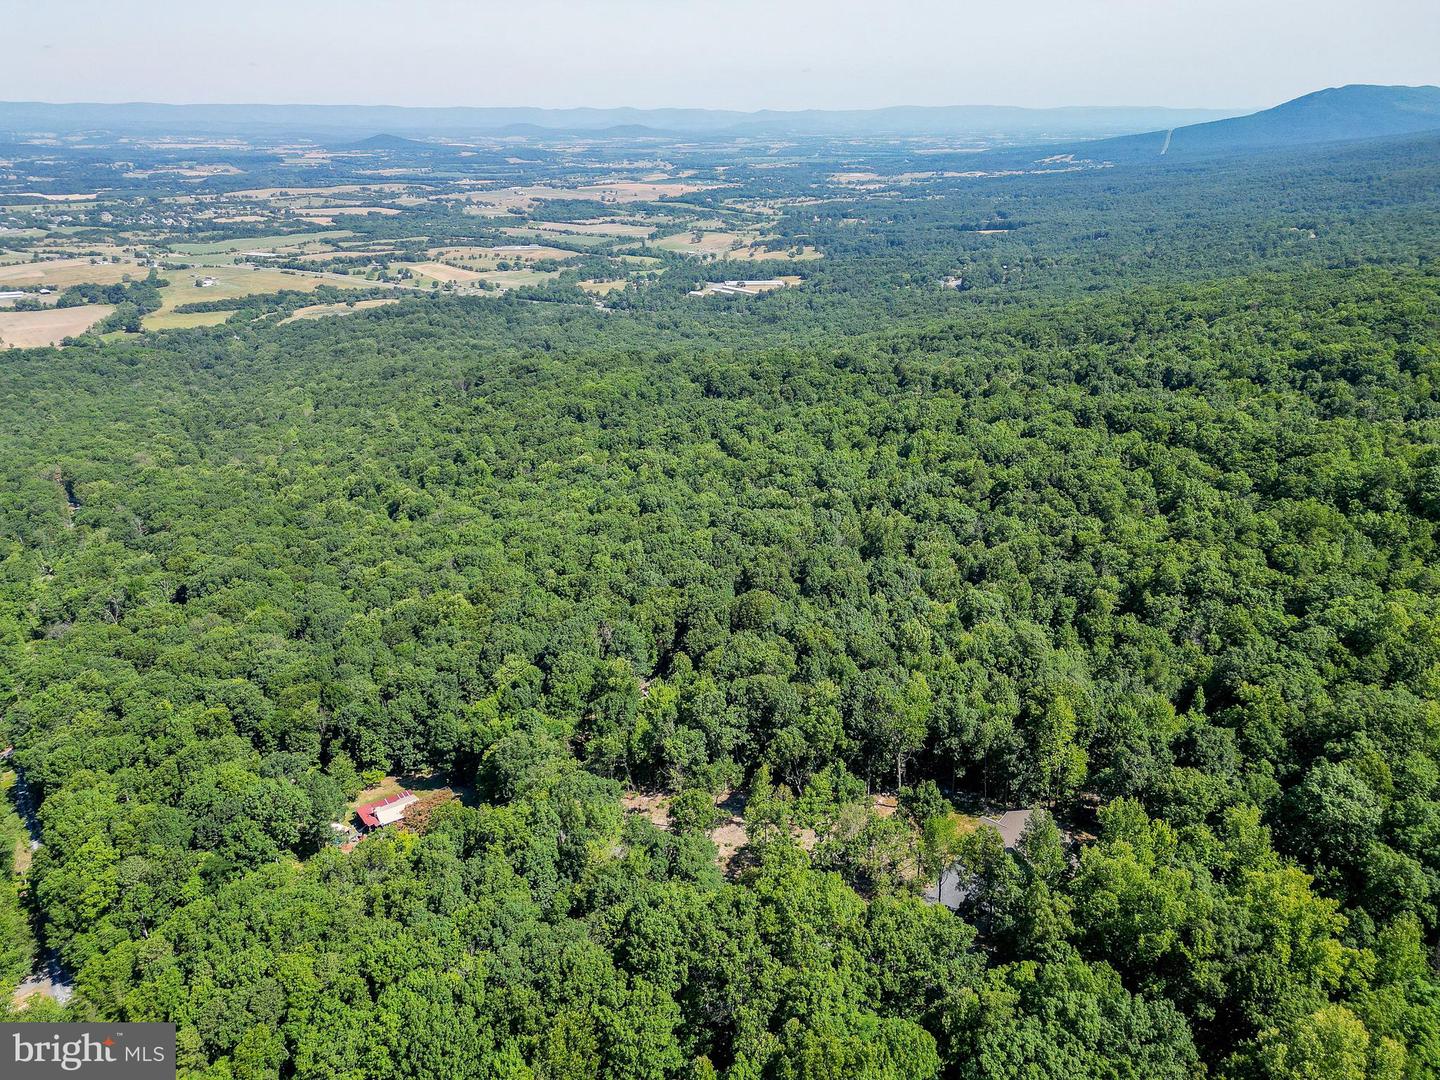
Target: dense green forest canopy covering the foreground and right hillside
[[1151, 549]]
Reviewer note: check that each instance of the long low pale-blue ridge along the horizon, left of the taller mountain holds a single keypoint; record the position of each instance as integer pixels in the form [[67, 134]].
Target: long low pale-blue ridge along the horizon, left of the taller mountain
[[361, 122]]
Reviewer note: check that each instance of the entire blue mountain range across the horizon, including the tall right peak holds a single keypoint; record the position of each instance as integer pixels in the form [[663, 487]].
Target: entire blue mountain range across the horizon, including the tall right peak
[[1328, 116]]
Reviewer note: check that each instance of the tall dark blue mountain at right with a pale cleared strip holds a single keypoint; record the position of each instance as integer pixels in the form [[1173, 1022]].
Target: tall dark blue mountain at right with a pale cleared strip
[[1330, 116]]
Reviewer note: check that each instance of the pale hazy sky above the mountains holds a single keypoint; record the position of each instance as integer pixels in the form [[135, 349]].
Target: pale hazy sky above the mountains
[[722, 54]]
